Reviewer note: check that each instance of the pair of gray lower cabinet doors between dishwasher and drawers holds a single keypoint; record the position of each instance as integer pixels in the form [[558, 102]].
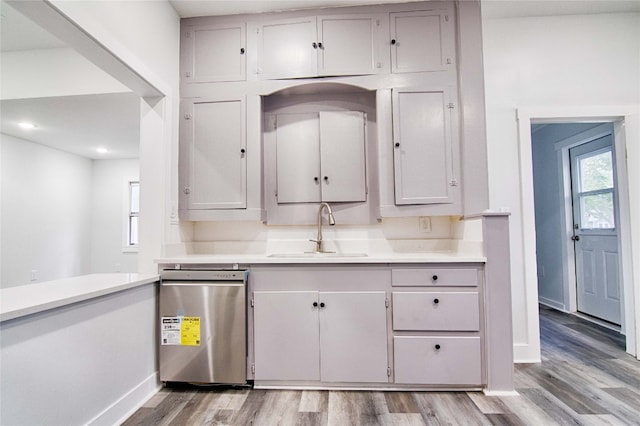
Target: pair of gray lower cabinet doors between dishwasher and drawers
[[320, 336]]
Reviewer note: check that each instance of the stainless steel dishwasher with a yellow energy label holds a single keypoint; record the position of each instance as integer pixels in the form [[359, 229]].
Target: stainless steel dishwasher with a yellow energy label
[[203, 332]]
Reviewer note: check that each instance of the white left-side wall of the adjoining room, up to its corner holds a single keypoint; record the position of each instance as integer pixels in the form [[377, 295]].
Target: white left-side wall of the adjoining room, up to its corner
[[46, 212]]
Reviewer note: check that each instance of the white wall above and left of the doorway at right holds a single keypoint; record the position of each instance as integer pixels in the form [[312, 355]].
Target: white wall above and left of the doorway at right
[[586, 60]]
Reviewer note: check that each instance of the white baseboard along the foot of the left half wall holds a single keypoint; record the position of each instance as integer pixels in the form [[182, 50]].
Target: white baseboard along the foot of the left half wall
[[124, 407]]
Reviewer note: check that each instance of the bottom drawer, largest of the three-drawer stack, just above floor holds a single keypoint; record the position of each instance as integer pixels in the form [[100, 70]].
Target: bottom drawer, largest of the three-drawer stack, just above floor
[[441, 360]]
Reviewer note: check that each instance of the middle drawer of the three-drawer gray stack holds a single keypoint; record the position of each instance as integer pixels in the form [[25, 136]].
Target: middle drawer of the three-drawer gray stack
[[436, 311]]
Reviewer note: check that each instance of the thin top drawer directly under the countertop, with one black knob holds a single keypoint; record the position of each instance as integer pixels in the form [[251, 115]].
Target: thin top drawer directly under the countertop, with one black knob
[[415, 277]]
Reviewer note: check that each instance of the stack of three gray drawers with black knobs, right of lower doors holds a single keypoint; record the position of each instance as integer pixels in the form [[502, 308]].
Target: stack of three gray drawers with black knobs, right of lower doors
[[437, 328]]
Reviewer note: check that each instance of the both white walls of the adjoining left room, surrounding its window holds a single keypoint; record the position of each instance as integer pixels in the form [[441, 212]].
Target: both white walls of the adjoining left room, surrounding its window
[[62, 215]]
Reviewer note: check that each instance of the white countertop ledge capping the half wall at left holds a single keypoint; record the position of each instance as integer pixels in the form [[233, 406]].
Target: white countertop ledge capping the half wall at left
[[28, 299]]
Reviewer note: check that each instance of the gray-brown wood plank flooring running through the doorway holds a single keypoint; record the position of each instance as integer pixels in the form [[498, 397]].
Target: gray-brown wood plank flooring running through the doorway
[[585, 378]]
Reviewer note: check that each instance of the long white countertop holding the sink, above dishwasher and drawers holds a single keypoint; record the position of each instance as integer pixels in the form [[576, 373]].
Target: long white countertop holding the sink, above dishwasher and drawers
[[327, 258]]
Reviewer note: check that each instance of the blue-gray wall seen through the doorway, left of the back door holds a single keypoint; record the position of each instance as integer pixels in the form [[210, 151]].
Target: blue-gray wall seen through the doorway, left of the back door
[[548, 184]]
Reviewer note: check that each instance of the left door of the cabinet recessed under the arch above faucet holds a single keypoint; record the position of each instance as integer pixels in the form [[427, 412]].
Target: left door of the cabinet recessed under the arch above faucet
[[298, 158]]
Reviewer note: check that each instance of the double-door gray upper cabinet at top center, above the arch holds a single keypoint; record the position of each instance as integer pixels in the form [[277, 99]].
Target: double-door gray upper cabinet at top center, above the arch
[[319, 46]]
